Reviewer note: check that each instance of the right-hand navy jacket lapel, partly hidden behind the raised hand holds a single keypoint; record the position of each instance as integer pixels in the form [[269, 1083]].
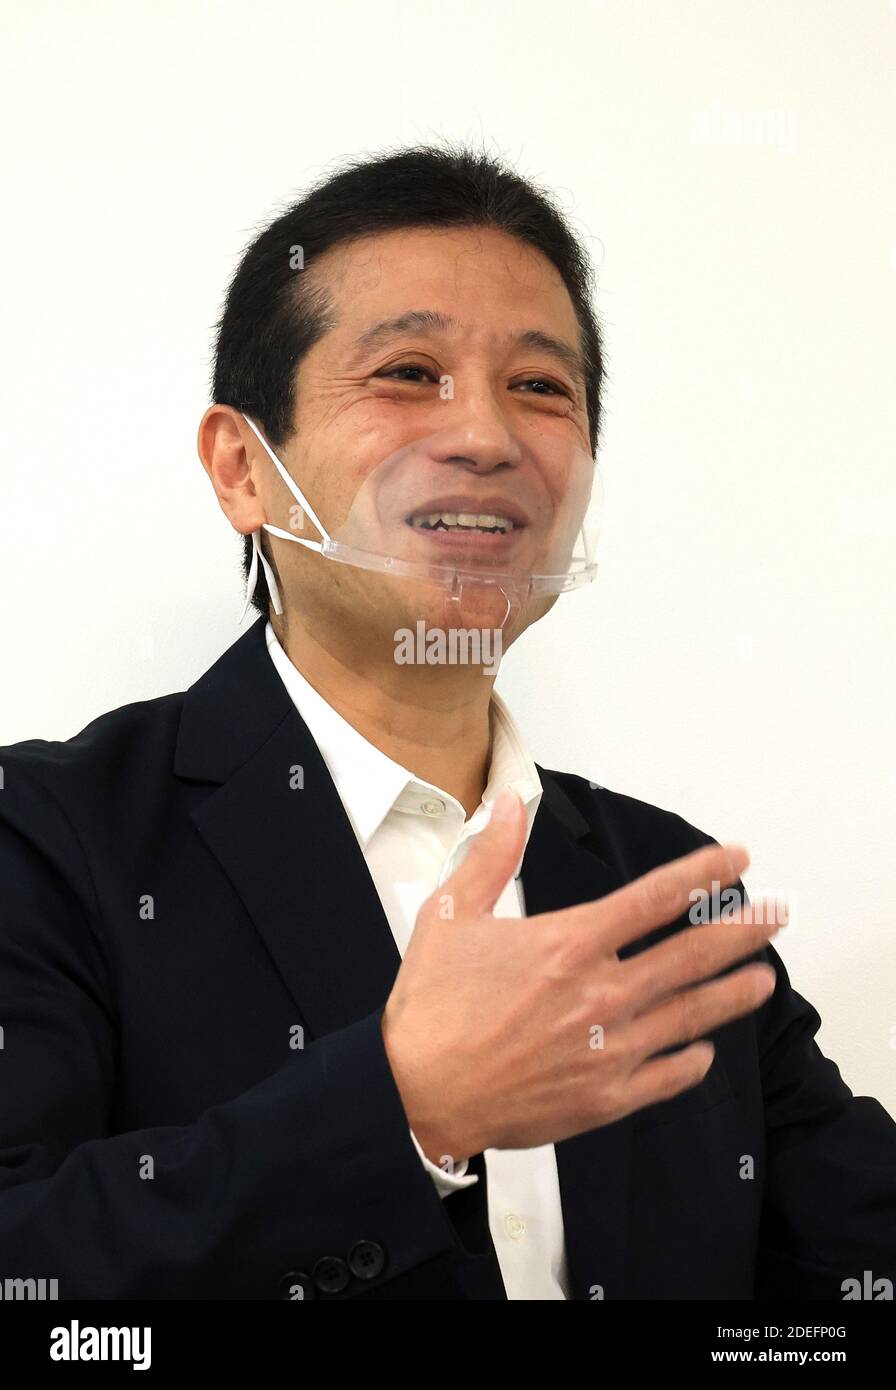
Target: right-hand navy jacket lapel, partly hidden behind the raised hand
[[562, 868]]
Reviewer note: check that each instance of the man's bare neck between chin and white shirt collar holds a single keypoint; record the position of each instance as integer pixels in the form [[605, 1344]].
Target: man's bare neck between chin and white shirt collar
[[431, 719]]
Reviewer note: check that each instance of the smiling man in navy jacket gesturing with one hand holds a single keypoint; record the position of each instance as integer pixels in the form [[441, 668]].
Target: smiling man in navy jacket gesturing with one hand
[[274, 1025]]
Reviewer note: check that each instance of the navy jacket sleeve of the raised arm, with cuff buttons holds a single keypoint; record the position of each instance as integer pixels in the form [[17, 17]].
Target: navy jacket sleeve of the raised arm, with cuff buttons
[[306, 1164]]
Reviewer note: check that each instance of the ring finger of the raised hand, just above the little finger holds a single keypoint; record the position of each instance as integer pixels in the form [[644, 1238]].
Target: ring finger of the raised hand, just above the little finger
[[695, 1013]]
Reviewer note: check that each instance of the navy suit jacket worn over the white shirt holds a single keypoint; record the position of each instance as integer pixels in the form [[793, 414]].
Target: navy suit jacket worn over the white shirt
[[179, 914]]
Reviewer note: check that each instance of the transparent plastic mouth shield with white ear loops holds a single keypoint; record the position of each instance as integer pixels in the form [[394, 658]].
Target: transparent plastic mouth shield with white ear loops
[[487, 534]]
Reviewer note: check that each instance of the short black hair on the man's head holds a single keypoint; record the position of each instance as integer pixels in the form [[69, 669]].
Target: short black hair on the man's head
[[273, 316]]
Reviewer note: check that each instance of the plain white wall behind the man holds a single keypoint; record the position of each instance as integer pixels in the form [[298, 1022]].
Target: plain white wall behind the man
[[734, 159]]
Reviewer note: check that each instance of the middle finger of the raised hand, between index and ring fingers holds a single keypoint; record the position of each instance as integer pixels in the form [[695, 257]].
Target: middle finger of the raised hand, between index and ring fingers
[[699, 953]]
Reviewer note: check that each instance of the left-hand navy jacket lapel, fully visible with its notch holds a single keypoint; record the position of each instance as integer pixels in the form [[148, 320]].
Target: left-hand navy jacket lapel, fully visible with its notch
[[279, 829]]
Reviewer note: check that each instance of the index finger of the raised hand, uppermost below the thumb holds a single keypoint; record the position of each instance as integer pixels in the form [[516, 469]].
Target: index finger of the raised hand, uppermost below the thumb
[[659, 897]]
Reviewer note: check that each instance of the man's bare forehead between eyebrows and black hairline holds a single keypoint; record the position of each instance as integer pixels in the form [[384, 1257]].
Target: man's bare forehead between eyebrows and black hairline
[[481, 279]]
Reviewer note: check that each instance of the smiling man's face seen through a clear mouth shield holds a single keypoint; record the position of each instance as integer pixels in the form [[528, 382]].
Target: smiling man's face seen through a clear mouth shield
[[488, 473]]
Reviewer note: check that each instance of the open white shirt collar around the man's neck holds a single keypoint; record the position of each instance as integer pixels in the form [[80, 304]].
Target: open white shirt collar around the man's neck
[[372, 785]]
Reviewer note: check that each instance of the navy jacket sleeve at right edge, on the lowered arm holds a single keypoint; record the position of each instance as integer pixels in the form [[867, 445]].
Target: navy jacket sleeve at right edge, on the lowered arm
[[830, 1197]]
